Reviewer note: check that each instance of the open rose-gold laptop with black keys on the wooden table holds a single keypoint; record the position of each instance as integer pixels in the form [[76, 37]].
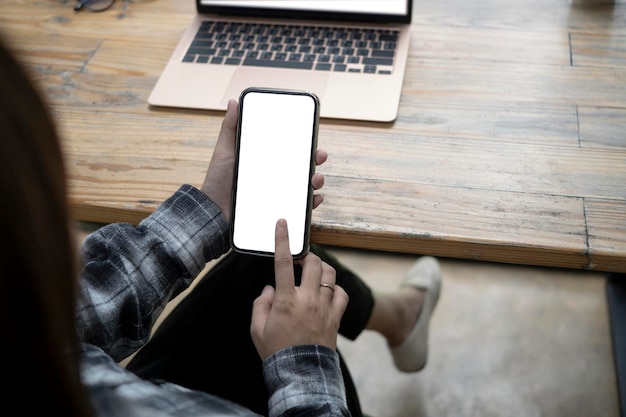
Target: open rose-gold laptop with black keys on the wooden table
[[350, 53]]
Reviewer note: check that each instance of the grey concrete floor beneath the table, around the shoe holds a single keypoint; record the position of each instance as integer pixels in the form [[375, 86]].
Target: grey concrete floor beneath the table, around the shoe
[[505, 341]]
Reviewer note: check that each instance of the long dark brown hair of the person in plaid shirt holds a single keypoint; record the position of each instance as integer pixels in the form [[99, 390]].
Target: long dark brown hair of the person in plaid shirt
[[38, 287]]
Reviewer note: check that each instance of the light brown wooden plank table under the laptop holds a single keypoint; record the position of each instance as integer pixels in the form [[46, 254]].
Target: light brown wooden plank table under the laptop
[[510, 144]]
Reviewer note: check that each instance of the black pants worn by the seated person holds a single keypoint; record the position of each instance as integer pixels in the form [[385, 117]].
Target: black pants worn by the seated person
[[205, 343]]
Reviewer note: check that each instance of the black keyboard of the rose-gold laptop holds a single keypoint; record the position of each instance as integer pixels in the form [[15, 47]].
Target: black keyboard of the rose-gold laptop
[[321, 48]]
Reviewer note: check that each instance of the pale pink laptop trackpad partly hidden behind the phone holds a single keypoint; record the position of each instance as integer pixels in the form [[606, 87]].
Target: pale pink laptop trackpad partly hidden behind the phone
[[244, 77]]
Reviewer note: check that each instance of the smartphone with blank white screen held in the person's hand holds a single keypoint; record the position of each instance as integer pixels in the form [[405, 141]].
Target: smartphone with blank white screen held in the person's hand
[[275, 161]]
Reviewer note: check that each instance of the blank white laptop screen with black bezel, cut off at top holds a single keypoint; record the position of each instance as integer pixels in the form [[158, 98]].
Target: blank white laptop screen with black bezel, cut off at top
[[385, 11]]
